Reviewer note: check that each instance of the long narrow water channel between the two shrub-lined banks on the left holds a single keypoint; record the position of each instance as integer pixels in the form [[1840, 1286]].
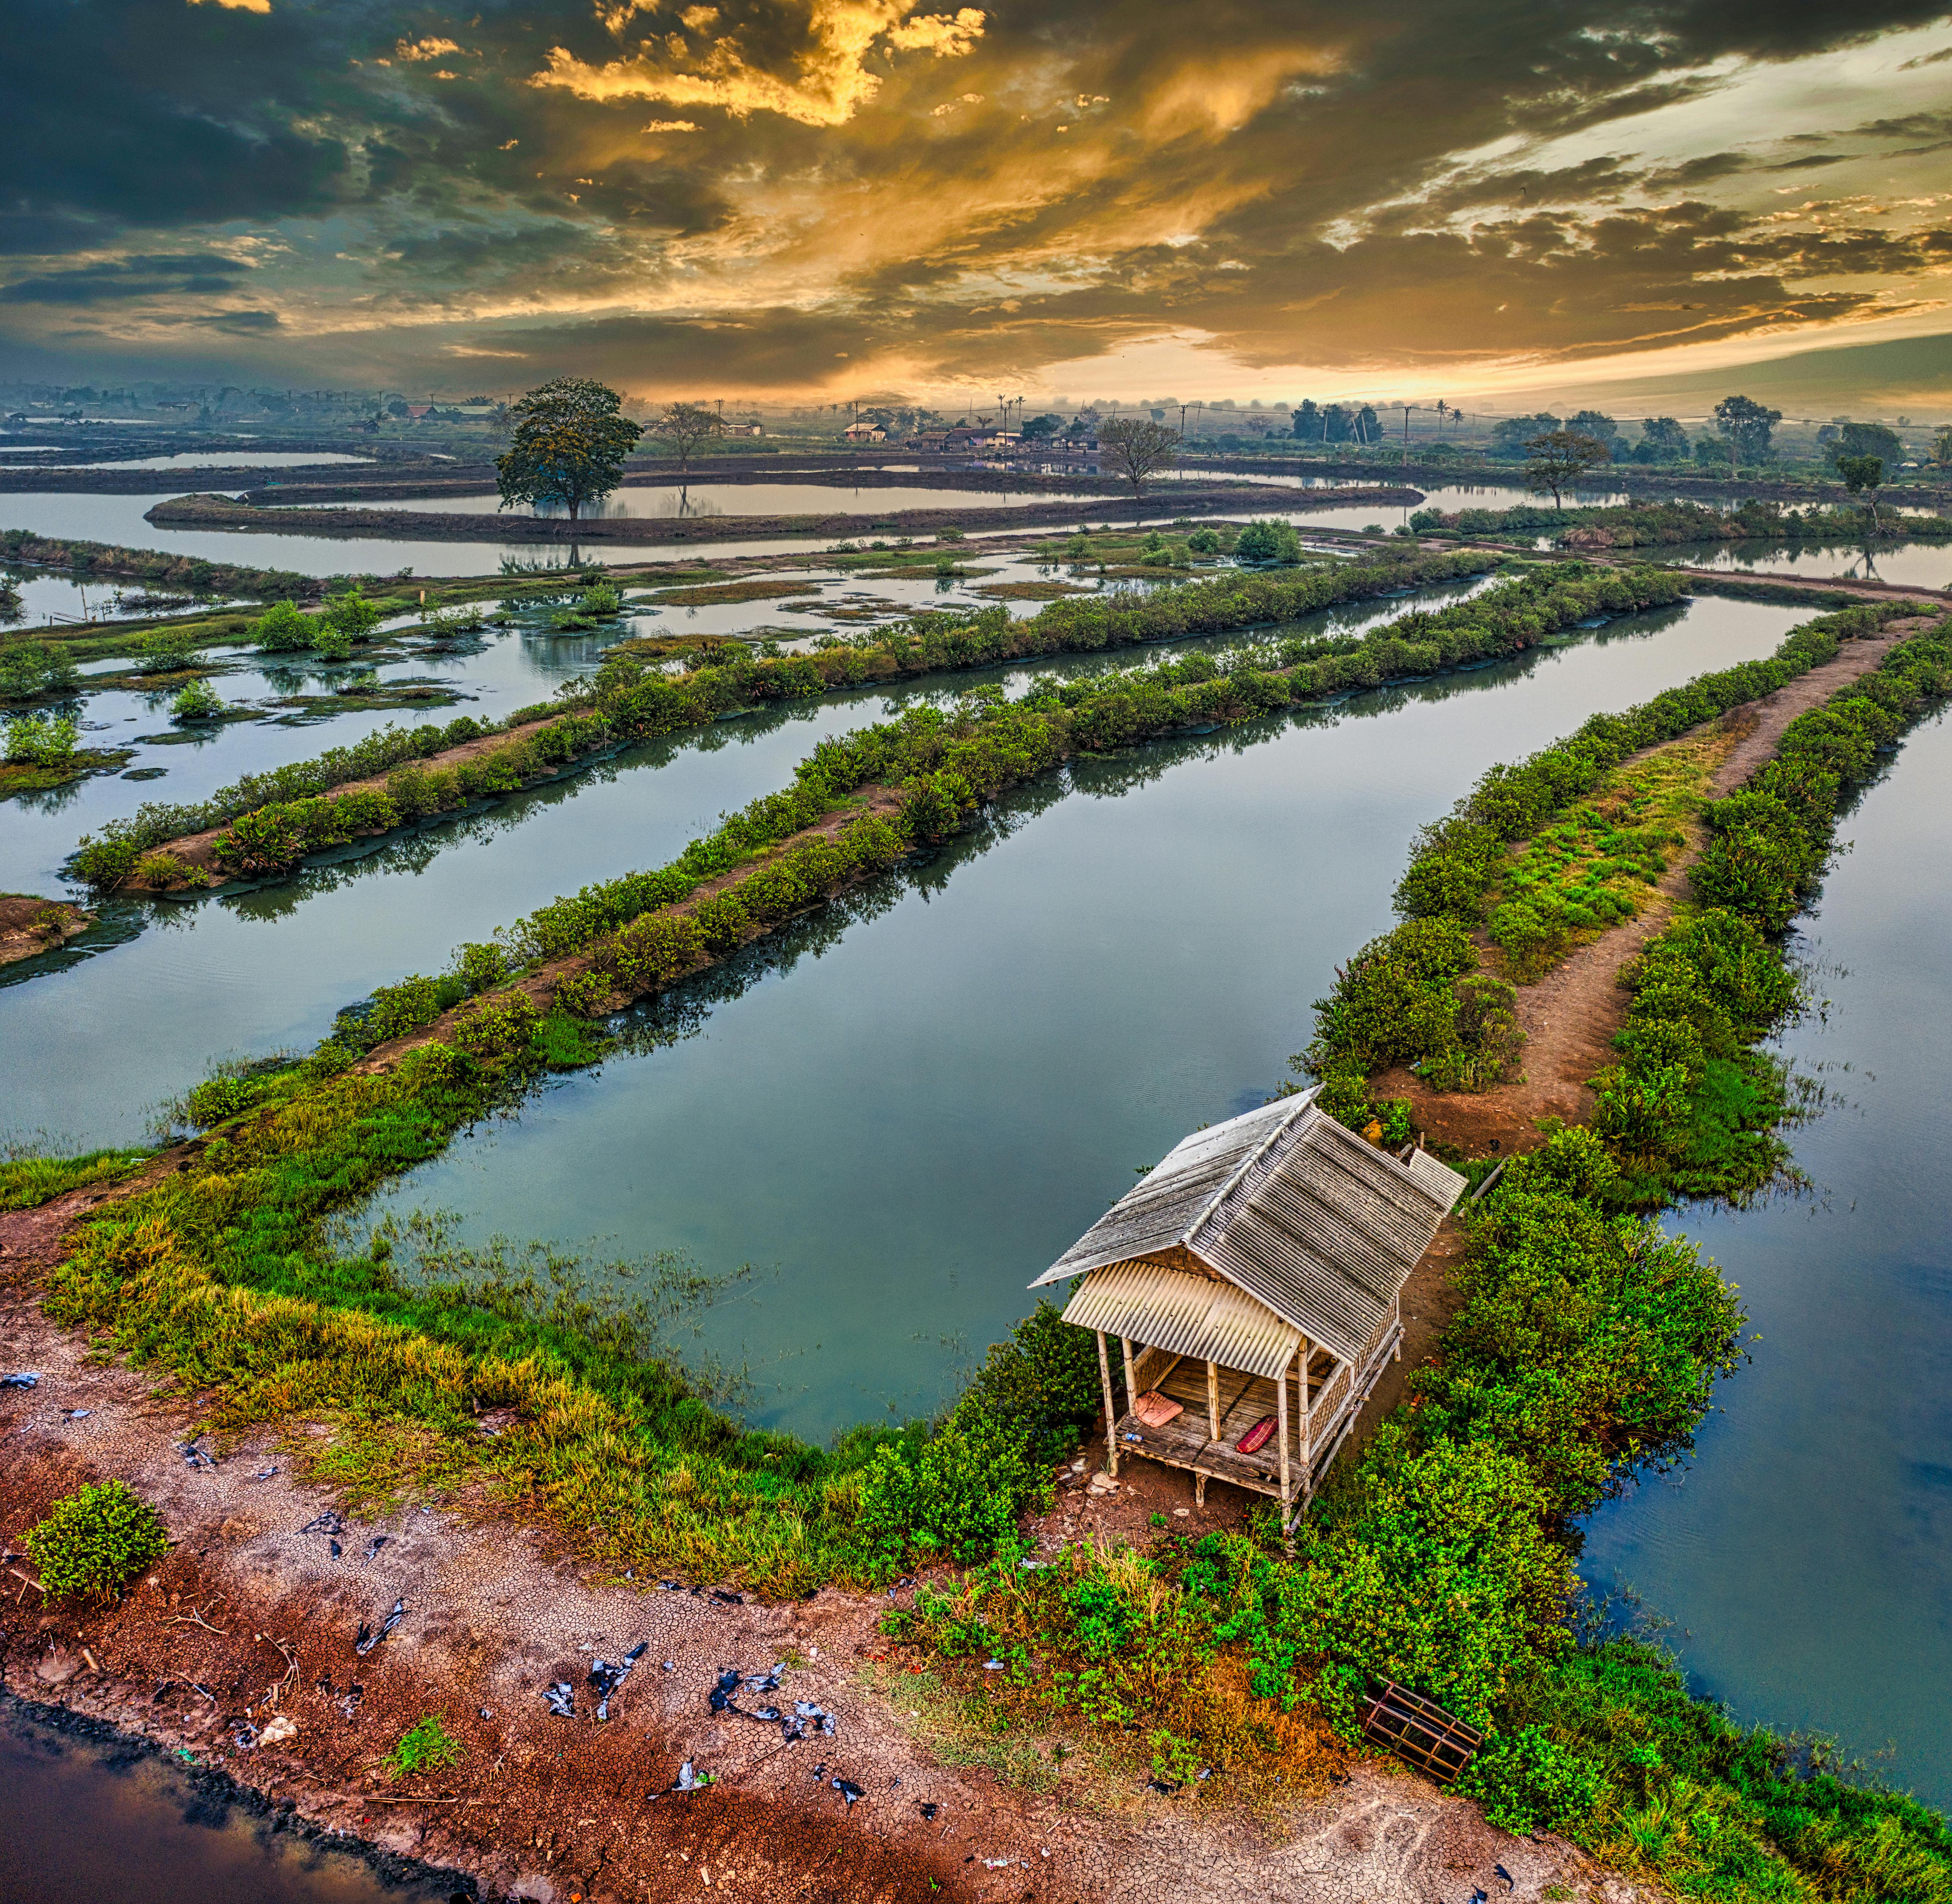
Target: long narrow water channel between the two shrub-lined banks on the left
[[140, 1009]]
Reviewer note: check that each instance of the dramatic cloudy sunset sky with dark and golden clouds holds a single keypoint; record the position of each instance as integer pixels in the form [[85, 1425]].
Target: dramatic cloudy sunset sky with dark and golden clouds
[[836, 198]]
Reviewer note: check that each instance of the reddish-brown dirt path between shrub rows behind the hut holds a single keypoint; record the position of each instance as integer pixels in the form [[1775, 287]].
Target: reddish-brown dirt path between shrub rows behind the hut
[[1572, 1014]]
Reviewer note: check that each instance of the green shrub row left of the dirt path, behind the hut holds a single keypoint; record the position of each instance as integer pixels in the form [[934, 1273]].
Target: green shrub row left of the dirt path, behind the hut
[[1416, 995]]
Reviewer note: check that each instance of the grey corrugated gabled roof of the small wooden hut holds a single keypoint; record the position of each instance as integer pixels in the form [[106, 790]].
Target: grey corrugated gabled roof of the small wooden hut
[[1293, 1210]]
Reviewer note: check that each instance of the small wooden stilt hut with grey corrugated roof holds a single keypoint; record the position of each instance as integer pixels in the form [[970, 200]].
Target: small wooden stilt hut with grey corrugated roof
[[1258, 1274]]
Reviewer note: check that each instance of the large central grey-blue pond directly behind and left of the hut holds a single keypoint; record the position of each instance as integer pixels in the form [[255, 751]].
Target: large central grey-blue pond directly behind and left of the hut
[[903, 1136]]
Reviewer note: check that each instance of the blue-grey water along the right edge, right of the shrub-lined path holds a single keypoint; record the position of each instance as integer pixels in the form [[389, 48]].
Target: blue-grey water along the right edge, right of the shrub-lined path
[[1807, 1555]]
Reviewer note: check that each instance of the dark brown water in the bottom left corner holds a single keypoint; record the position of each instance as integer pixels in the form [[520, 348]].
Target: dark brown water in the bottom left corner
[[112, 1823]]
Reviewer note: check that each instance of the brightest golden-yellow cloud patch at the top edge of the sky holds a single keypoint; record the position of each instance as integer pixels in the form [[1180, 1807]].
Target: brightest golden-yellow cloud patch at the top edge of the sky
[[831, 81]]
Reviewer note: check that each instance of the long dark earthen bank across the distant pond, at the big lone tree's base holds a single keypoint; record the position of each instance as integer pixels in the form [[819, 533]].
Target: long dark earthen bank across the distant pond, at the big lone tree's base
[[1211, 499]]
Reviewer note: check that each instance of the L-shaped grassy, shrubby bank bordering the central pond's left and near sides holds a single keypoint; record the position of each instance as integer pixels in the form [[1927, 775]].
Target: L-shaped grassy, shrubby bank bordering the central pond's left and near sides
[[224, 1278]]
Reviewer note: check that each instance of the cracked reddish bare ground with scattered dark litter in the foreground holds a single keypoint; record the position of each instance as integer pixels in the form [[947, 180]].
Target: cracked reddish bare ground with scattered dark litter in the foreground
[[251, 1622]]
